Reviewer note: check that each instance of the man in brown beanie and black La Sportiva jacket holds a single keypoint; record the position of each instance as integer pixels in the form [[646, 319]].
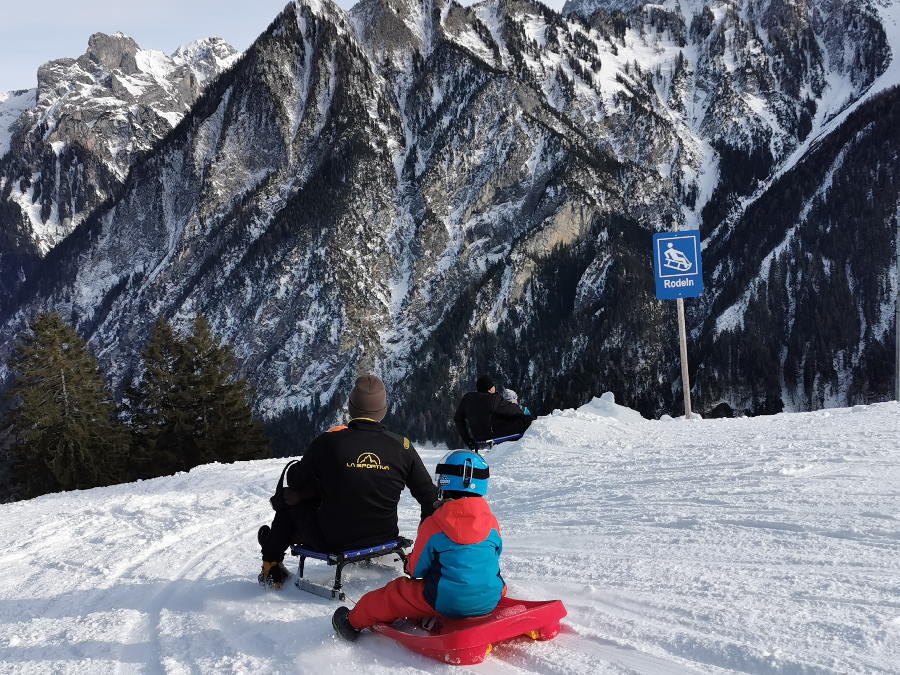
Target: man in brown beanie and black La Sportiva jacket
[[343, 493]]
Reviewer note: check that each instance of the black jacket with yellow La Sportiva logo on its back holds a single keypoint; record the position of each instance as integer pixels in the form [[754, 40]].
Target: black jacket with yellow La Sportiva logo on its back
[[355, 474]]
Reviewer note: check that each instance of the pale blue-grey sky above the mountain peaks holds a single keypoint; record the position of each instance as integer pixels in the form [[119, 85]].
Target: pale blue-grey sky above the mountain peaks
[[60, 28]]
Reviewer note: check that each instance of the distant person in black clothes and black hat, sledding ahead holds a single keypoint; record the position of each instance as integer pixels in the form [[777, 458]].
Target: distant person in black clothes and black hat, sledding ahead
[[484, 414]]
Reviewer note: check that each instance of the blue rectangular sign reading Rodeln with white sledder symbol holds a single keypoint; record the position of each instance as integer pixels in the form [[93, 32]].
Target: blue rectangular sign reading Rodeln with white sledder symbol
[[676, 265]]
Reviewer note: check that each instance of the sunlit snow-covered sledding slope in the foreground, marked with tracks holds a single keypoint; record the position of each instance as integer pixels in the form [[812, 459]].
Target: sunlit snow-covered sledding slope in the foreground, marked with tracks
[[764, 545]]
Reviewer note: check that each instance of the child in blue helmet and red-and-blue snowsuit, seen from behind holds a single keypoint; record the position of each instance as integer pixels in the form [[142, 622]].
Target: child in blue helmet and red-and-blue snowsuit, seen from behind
[[455, 563]]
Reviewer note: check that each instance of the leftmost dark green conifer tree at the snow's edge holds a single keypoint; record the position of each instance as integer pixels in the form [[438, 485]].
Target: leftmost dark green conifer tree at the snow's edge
[[63, 420]]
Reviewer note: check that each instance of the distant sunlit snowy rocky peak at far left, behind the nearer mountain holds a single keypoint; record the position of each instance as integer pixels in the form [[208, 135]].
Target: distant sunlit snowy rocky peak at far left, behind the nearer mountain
[[66, 146]]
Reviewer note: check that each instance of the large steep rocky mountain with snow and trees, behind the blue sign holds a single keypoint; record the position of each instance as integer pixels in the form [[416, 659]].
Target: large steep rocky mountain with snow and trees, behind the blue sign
[[430, 190]]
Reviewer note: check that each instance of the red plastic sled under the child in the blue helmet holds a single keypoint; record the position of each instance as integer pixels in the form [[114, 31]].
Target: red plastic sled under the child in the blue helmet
[[463, 642]]
